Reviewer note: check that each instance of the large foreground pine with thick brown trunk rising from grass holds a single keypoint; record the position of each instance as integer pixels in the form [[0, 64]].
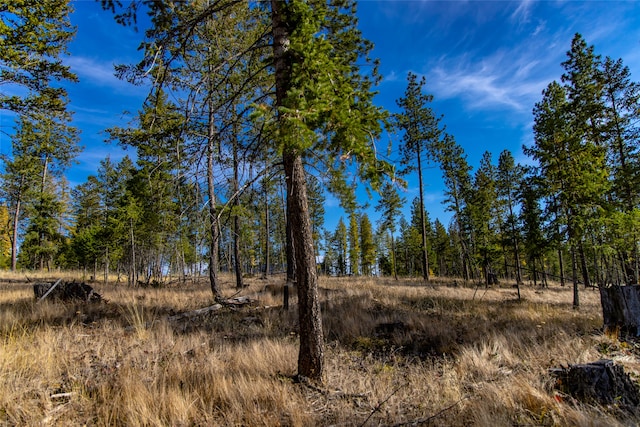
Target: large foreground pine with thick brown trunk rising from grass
[[323, 104]]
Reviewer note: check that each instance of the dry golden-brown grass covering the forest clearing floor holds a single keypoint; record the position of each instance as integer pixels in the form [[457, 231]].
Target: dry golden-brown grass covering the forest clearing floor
[[398, 353]]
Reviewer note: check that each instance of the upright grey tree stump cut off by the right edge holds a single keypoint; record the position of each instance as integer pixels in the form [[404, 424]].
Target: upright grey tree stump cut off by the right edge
[[621, 308]]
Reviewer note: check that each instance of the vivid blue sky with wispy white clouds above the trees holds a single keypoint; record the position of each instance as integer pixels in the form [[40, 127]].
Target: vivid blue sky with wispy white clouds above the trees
[[485, 62]]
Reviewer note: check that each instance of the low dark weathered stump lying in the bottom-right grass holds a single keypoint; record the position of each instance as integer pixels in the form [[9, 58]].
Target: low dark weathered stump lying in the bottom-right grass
[[600, 382]]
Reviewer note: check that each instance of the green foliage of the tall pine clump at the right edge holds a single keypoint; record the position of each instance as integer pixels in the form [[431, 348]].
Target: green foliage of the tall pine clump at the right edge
[[586, 149]]
